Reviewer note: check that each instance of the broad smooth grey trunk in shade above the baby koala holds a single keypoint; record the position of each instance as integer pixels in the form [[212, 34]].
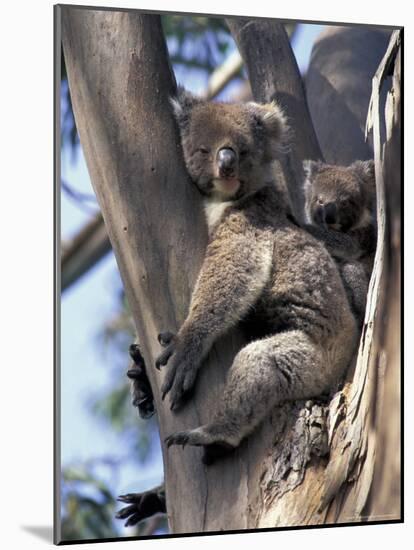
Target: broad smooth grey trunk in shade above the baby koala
[[343, 60]]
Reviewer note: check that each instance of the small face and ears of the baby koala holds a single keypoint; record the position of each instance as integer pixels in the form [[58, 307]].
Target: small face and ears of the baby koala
[[339, 197]]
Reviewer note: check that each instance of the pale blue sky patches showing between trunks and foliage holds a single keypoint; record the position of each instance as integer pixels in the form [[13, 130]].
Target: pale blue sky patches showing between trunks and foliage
[[85, 368]]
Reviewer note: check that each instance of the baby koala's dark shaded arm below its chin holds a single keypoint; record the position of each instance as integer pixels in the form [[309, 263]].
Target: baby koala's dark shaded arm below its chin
[[346, 246]]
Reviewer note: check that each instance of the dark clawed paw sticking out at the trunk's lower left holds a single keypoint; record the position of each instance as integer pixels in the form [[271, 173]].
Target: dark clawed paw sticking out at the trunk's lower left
[[141, 505]]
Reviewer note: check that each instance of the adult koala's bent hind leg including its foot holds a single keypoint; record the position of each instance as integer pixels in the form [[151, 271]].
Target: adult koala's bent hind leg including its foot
[[264, 373]]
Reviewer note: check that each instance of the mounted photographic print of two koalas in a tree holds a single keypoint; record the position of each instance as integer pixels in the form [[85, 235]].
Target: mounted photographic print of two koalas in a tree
[[228, 214]]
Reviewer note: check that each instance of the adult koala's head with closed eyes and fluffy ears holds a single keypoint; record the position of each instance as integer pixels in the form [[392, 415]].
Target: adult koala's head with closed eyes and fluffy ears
[[227, 146]]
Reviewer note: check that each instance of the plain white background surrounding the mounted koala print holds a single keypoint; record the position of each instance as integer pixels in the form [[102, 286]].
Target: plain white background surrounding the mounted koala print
[[26, 469]]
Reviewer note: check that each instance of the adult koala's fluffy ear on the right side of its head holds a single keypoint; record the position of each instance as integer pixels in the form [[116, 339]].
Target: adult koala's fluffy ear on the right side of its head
[[271, 118]]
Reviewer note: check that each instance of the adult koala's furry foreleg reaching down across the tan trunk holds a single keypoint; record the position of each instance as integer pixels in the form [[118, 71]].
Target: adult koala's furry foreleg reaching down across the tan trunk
[[234, 272]]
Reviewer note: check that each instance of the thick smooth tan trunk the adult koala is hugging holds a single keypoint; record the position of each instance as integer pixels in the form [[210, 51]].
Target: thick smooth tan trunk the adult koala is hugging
[[120, 80]]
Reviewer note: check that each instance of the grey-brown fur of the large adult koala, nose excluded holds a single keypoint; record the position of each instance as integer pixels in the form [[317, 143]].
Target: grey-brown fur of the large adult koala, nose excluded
[[261, 268]]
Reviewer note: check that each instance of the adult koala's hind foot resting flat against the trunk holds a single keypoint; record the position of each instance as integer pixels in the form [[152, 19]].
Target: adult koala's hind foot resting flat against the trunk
[[215, 446]]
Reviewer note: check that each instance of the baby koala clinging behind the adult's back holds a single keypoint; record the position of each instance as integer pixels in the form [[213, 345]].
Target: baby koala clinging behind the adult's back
[[340, 211]]
